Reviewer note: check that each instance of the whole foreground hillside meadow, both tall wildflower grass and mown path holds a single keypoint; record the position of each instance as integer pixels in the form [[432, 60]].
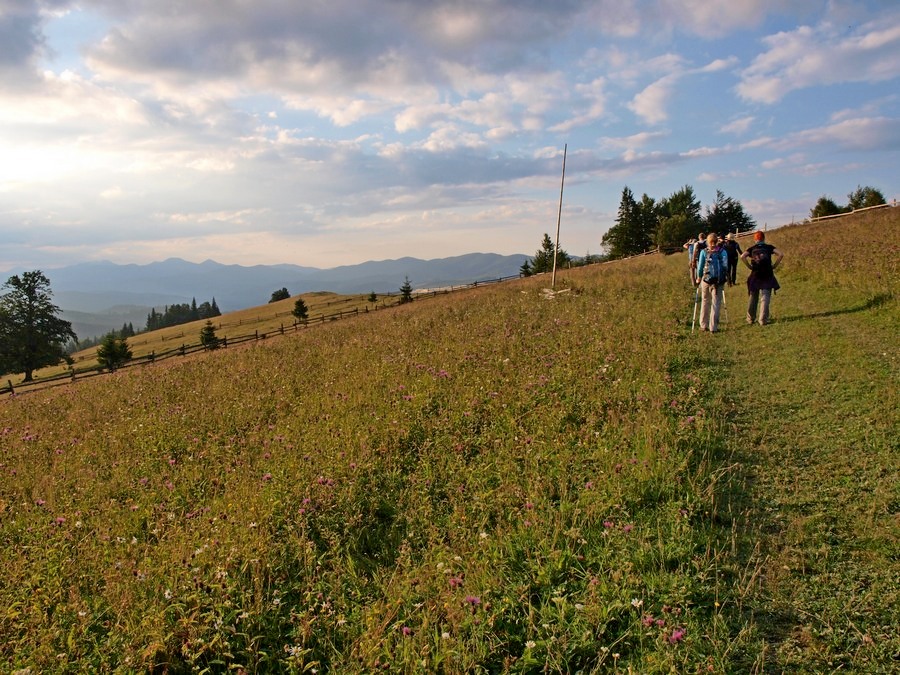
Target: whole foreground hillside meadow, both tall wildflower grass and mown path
[[497, 480]]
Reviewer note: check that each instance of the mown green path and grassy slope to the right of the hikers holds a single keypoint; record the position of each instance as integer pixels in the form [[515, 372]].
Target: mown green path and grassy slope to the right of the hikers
[[815, 414]]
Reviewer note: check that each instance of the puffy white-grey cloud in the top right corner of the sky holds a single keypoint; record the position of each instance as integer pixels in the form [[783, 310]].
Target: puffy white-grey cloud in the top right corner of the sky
[[823, 55]]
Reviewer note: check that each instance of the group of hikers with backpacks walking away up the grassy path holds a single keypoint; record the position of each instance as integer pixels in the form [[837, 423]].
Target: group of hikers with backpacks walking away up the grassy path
[[713, 263]]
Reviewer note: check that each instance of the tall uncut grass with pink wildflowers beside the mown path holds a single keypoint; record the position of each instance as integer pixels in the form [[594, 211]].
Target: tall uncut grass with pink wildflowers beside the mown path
[[501, 480]]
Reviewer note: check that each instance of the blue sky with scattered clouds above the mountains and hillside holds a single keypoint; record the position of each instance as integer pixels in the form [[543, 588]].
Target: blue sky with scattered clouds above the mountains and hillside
[[327, 133]]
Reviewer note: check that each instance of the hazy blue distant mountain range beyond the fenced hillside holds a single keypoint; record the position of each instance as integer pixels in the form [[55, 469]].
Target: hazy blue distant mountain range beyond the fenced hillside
[[101, 296]]
